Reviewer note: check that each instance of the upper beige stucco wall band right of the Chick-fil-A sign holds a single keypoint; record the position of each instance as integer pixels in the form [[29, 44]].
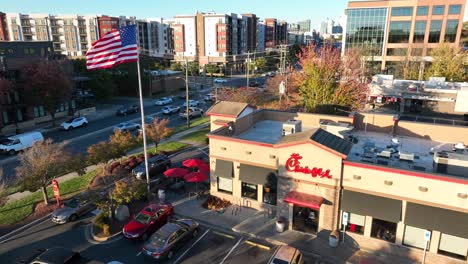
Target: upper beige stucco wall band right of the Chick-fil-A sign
[[440, 193]]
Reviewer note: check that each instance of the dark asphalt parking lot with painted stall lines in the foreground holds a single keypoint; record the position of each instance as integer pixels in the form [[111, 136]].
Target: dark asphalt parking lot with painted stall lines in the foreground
[[210, 246]]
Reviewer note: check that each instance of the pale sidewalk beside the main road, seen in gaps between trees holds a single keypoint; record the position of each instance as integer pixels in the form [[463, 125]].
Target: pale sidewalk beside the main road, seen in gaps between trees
[[176, 137]]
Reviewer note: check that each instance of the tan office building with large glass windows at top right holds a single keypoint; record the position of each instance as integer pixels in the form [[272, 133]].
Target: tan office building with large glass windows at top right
[[392, 30]]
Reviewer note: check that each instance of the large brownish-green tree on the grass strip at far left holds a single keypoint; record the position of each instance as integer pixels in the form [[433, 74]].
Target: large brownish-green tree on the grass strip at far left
[[41, 163]]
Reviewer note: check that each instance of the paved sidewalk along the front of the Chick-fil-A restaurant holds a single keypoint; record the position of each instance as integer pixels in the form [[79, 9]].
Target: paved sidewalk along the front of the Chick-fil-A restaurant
[[255, 224]]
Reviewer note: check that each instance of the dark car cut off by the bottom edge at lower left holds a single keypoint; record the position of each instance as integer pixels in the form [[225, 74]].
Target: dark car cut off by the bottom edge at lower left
[[56, 255]]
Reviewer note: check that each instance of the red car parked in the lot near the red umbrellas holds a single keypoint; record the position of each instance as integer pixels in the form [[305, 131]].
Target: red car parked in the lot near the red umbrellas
[[148, 221]]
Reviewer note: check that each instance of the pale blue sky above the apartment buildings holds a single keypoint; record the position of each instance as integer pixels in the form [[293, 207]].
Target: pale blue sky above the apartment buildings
[[289, 10]]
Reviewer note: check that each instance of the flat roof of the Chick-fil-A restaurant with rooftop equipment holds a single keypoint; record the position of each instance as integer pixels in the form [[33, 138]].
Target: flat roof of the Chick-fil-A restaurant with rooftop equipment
[[404, 152]]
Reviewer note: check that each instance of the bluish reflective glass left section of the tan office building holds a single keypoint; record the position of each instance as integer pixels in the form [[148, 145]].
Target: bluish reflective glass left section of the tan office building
[[366, 27]]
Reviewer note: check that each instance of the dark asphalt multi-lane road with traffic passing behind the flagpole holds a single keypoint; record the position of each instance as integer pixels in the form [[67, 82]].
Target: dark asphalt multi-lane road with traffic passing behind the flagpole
[[81, 138]]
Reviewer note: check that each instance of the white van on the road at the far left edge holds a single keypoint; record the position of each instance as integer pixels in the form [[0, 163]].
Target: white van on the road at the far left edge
[[20, 142]]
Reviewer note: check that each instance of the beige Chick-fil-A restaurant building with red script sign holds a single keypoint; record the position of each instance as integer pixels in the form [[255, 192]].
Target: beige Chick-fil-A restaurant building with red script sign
[[395, 180]]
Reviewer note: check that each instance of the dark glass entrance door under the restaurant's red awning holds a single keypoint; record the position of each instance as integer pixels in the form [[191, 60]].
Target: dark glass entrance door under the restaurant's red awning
[[305, 219]]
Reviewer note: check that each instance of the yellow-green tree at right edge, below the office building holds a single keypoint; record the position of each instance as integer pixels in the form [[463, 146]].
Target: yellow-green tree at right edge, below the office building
[[448, 61]]
